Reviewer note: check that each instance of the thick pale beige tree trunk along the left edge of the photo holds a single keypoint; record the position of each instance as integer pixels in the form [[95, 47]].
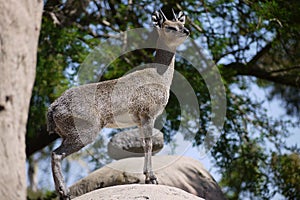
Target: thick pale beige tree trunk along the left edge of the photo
[[19, 30]]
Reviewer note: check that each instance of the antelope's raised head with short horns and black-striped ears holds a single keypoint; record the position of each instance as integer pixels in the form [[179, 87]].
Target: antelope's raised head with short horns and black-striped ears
[[171, 33]]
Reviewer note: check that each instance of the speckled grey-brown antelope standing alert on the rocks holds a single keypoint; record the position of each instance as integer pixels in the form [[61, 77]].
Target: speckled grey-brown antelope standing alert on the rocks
[[135, 99]]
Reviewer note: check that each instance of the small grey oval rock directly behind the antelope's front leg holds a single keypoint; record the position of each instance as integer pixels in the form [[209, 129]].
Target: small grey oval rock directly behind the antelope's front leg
[[129, 144]]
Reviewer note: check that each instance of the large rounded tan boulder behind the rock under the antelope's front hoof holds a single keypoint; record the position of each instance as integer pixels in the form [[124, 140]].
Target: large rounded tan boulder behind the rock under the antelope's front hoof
[[176, 171]]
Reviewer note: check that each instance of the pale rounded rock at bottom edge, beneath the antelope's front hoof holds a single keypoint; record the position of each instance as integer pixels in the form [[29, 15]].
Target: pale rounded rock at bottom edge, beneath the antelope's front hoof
[[139, 192]]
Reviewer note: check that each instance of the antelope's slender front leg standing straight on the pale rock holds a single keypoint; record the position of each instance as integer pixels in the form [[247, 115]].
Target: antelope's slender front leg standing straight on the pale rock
[[146, 134]]
